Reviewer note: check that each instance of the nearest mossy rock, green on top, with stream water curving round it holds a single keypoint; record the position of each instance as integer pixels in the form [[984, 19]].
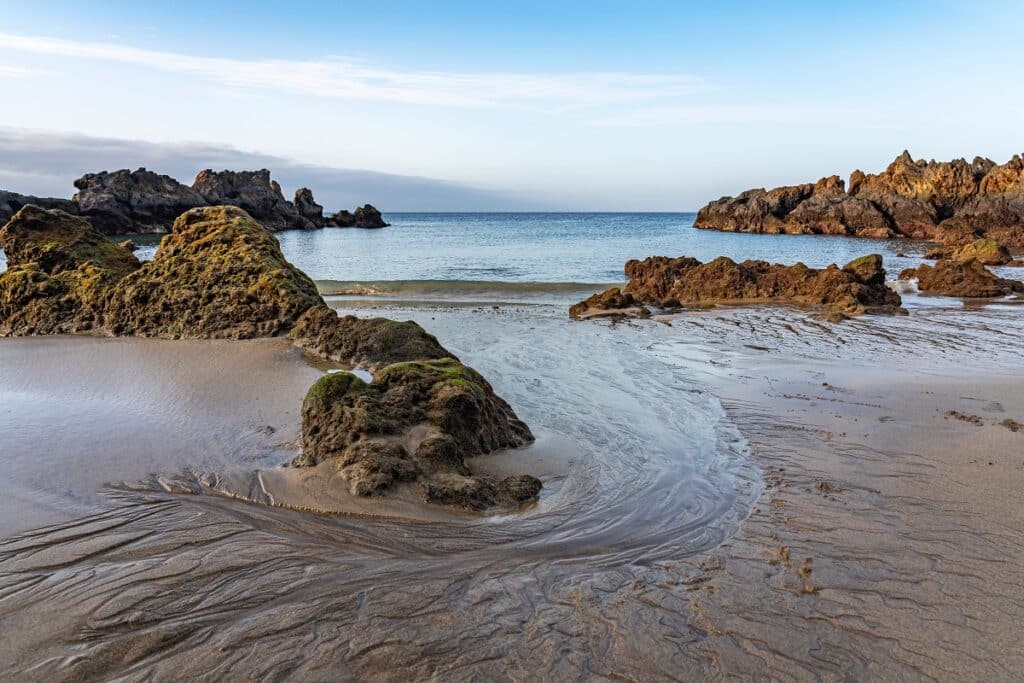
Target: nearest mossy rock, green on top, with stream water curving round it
[[441, 411]]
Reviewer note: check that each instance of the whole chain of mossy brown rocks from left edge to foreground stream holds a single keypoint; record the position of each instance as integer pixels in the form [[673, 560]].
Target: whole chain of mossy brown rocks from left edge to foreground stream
[[222, 275]]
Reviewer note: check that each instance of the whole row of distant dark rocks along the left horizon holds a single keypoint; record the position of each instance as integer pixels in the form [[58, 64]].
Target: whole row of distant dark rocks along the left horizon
[[134, 202]]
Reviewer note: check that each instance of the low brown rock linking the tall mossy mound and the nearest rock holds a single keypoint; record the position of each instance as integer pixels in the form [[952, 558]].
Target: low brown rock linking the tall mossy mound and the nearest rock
[[372, 343]]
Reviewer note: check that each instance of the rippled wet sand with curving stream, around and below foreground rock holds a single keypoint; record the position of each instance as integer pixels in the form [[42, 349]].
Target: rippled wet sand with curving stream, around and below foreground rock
[[735, 493]]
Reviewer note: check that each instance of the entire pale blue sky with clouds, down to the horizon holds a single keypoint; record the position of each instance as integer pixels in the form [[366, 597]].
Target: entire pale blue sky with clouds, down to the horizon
[[475, 106]]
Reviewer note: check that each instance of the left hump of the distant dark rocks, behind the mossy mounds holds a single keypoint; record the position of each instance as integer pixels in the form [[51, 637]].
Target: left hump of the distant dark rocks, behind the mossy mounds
[[125, 202]]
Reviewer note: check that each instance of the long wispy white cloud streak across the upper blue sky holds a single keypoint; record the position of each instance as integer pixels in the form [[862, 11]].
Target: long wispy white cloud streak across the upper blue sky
[[355, 80]]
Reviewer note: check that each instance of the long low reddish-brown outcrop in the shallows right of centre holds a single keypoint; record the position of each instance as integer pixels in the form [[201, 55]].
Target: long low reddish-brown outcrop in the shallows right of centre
[[858, 288]]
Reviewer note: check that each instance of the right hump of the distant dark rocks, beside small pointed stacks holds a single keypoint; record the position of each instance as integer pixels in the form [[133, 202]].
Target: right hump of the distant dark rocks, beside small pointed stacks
[[255, 193]]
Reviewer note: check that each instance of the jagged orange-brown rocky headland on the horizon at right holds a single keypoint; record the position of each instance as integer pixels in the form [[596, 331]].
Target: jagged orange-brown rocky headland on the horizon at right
[[953, 203]]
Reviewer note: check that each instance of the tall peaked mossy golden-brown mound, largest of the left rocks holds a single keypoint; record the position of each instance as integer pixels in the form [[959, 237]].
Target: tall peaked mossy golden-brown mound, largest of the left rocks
[[219, 275]]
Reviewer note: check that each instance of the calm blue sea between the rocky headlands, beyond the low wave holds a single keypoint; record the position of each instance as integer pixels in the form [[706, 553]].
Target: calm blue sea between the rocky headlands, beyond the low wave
[[544, 247]]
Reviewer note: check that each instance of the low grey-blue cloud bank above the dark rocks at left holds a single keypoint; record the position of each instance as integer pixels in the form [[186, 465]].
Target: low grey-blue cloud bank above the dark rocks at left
[[46, 163]]
